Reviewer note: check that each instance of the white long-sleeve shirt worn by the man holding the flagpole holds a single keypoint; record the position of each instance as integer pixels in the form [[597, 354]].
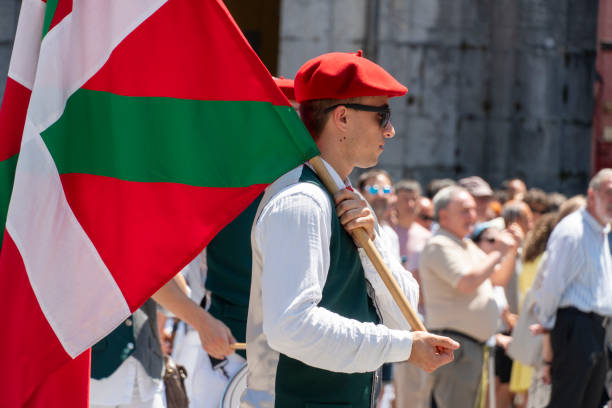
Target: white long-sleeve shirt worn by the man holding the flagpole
[[290, 240]]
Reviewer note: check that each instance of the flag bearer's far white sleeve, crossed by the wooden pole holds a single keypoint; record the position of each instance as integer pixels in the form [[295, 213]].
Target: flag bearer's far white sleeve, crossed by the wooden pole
[[391, 313]]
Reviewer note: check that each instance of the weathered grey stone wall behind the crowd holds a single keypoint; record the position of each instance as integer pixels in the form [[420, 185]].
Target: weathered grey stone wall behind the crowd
[[497, 88]]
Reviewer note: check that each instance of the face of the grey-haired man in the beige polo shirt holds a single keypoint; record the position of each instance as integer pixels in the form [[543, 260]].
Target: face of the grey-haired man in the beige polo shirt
[[459, 216]]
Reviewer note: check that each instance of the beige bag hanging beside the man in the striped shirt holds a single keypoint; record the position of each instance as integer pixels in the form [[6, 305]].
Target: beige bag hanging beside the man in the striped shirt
[[525, 347]]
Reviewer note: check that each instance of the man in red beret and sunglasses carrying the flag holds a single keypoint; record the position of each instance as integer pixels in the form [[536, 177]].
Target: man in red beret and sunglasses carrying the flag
[[314, 331]]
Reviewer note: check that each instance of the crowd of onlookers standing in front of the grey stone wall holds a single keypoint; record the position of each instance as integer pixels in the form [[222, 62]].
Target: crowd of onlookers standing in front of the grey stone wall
[[476, 253]]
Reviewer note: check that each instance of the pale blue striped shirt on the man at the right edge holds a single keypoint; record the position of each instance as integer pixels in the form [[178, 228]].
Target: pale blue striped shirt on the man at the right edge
[[577, 271]]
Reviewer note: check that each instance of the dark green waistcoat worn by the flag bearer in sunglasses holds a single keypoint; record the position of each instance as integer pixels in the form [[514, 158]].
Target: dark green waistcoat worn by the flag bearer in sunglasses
[[345, 293]]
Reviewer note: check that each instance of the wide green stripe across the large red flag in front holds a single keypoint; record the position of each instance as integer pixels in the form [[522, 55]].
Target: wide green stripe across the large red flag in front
[[199, 143]]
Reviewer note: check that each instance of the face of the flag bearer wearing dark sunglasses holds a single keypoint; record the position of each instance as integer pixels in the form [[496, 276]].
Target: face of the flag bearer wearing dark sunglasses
[[366, 139]]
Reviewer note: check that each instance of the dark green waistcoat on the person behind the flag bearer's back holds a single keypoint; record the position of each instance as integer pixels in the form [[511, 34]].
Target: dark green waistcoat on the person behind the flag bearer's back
[[228, 258]]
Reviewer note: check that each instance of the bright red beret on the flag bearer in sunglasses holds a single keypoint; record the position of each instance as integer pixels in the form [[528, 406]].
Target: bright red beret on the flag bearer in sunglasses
[[342, 75]]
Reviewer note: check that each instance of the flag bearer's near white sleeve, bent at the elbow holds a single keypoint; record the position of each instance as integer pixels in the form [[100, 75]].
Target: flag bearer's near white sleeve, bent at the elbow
[[293, 234]]
